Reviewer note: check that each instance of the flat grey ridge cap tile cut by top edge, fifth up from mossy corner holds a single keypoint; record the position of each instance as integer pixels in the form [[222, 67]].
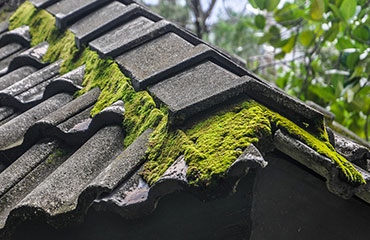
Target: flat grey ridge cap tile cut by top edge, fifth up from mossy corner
[[66, 11]]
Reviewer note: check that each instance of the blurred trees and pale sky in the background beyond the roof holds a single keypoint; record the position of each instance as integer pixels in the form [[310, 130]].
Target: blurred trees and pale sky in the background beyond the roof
[[315, 50]]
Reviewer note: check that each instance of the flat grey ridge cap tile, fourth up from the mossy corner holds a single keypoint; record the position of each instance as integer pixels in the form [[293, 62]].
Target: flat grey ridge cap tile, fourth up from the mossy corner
[[98, 22]]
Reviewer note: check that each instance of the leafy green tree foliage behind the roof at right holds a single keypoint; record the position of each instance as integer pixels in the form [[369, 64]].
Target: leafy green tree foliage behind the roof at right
[[327, 43]]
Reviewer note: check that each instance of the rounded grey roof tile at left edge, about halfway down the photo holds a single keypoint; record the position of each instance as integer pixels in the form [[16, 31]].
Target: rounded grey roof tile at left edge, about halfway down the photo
[[14, 130]]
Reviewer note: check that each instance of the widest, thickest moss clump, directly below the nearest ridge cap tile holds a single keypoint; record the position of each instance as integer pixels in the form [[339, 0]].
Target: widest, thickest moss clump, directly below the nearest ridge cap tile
[[210, 147]]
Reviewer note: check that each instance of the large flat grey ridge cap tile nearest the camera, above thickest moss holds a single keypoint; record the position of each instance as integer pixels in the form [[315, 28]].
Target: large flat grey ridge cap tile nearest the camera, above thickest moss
[[197, 89]]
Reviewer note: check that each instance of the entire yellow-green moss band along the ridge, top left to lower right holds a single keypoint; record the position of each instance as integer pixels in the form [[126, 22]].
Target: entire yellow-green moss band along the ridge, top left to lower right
[[210, 147]]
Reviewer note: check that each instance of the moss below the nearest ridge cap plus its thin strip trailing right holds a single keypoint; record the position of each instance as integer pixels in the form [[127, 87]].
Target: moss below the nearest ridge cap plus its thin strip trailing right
[[211, 146]]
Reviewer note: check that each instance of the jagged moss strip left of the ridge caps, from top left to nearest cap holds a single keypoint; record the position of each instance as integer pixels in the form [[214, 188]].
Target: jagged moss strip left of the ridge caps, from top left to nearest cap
[[141, 111]]
